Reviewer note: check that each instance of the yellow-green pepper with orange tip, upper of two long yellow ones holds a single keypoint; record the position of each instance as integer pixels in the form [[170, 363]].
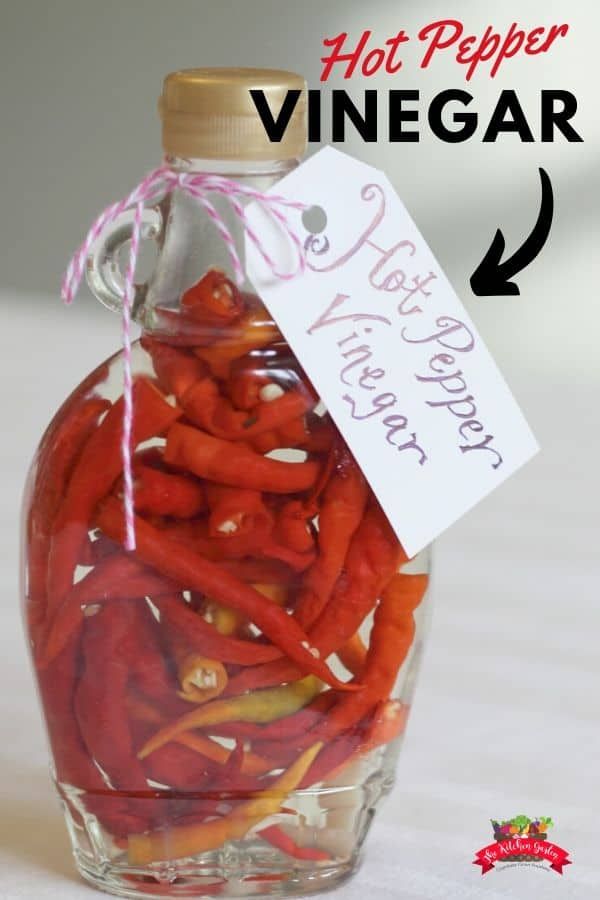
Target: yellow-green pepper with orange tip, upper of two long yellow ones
[[259, 707]]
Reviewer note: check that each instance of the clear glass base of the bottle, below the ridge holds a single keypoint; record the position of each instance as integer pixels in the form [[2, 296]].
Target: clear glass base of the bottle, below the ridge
[[333, 822]]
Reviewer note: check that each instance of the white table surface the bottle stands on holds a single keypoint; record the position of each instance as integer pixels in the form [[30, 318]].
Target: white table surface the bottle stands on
[[506, 714]]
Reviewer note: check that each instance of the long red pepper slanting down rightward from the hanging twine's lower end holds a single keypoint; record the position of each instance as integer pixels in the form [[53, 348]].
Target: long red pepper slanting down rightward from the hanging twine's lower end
[[189, 569]]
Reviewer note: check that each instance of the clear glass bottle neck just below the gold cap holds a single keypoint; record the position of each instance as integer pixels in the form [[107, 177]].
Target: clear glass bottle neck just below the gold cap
[[189, 243]]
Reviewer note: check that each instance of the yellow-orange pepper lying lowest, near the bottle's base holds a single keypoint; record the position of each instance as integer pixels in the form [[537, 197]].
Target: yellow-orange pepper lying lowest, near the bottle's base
[[189, 840]]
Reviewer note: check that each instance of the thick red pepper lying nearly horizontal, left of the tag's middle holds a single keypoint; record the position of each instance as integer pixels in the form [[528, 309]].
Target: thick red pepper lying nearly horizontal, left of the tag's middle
[[226, 463]]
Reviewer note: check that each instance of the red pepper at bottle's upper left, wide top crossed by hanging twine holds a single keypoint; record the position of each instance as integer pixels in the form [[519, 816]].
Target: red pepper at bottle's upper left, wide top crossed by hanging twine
[[96, 471]]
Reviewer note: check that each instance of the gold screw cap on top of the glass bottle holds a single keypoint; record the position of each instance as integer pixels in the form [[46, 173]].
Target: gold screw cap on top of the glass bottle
[[209, 114]]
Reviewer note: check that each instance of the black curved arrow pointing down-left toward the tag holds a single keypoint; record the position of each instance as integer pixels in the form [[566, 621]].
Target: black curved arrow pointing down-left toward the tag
[[491, 277]]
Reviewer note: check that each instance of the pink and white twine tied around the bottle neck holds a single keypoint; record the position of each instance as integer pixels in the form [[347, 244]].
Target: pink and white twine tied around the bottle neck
[[155, 186]]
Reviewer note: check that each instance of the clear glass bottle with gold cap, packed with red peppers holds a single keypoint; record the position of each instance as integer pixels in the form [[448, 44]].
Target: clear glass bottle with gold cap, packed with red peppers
[[193, 755]]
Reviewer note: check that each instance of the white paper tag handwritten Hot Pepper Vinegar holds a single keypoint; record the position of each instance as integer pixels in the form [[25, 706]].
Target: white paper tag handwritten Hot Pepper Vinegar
[[389, 347]]
